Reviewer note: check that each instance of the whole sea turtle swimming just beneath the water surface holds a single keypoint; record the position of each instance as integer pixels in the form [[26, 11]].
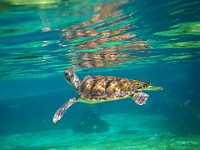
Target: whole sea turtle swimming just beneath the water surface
[[97, 89]]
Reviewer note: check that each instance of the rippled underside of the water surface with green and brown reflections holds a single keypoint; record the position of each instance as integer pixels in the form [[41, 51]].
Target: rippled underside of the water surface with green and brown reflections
[[43, 35]]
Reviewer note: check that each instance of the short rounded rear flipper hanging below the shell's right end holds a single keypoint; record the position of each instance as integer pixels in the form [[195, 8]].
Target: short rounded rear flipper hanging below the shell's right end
[[140, 98]]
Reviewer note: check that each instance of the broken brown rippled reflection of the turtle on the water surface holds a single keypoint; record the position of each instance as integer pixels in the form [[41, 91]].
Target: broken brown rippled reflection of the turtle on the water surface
[[109, 44]]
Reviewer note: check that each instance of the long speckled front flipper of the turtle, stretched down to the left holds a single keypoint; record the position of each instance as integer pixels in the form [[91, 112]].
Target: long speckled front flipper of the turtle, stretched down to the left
[[60, 112]]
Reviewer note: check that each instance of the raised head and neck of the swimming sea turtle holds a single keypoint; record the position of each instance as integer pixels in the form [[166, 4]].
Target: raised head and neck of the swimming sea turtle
[[72, 78]]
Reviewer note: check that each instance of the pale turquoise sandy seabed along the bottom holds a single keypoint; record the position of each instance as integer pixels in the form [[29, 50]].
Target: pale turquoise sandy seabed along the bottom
[[127, 132]]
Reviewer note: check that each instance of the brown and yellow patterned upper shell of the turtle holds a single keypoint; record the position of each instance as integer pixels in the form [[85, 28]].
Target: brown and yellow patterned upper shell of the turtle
[[108, 87]]
